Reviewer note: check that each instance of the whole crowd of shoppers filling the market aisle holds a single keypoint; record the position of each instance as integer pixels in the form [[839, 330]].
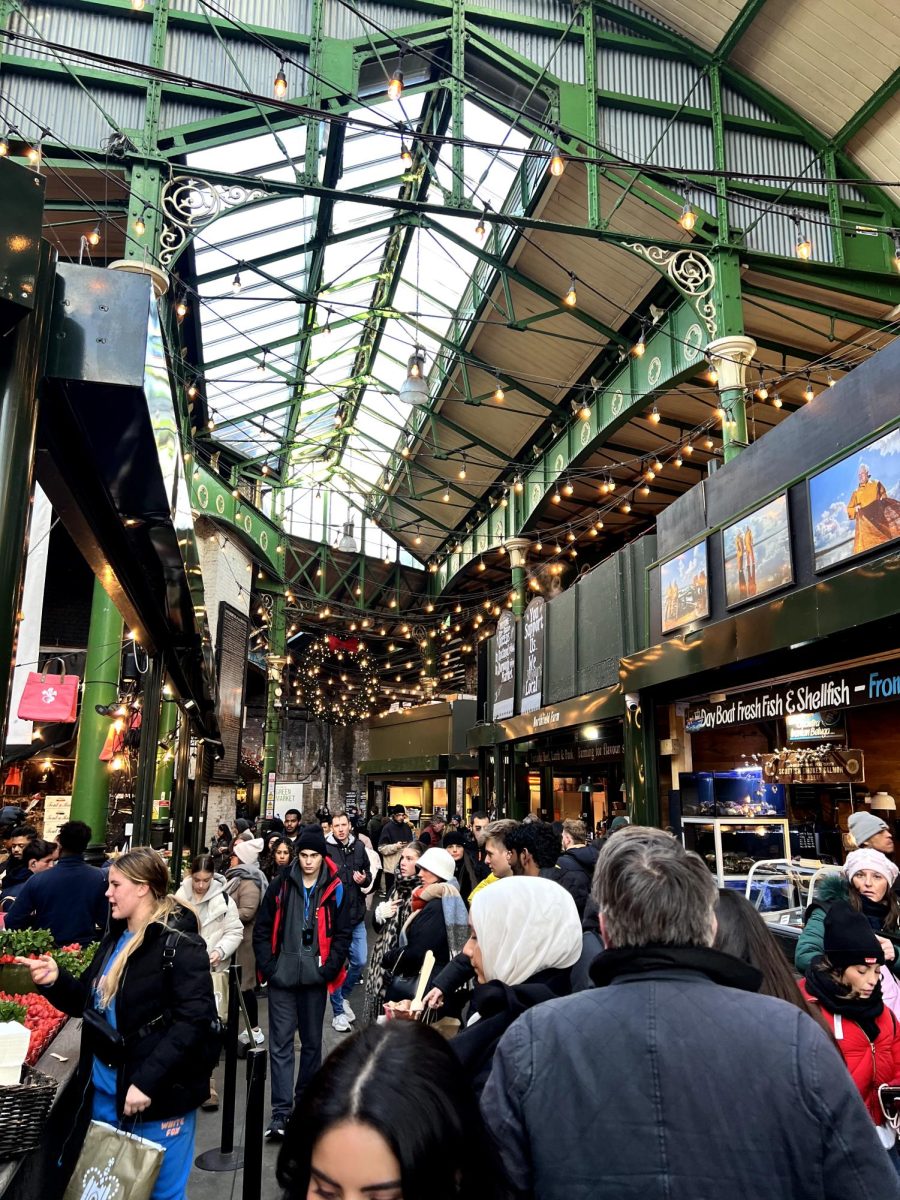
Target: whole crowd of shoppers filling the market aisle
[[543, 1013]]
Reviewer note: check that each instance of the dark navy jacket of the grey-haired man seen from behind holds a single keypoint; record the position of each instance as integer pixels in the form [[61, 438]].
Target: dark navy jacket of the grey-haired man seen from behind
[[716, 1090]]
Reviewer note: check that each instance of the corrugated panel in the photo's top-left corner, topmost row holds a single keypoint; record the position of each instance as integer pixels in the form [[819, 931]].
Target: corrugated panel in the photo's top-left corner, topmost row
[[123, 38]]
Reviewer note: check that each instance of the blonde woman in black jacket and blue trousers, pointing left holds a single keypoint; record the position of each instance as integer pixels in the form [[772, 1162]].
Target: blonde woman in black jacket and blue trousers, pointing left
[[149, 1015]]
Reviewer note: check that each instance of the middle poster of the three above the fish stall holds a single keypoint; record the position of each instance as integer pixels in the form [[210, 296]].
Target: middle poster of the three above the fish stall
[[758, 554]]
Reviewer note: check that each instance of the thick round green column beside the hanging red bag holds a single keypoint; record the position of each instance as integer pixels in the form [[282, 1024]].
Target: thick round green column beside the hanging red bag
[[91, 784]]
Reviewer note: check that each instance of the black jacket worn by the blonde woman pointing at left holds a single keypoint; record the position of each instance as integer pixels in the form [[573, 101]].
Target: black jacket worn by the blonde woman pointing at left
[[164, 1064]]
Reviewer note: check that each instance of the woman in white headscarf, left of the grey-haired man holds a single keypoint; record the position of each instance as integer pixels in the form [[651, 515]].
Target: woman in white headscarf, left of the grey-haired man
[[526, 938]]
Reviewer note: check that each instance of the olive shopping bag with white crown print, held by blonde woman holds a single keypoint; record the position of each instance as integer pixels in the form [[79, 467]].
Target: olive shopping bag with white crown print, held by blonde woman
[[115, 1166]]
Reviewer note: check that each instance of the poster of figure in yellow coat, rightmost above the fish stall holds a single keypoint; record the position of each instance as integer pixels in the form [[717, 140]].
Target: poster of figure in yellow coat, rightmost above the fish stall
[[856, 503]]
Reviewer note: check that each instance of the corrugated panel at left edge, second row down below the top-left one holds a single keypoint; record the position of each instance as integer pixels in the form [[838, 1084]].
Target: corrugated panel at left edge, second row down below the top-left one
[[76, 118]]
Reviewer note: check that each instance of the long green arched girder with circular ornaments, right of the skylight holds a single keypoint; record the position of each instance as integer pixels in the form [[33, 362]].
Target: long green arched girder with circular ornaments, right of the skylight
[[674, 353]]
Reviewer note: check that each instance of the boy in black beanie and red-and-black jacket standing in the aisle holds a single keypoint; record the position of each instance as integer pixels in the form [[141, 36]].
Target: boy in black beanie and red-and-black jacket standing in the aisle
[[301, 940]]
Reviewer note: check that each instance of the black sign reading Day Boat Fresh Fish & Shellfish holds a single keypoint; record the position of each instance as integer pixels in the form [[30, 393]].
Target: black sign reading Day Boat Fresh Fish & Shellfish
[[842, 688]]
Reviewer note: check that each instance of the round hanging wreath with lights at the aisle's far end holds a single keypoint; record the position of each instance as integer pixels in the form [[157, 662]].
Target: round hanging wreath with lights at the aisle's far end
[[338, 681]]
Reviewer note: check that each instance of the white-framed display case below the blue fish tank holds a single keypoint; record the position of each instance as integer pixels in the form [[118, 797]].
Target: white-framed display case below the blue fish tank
[[731, 845]]
